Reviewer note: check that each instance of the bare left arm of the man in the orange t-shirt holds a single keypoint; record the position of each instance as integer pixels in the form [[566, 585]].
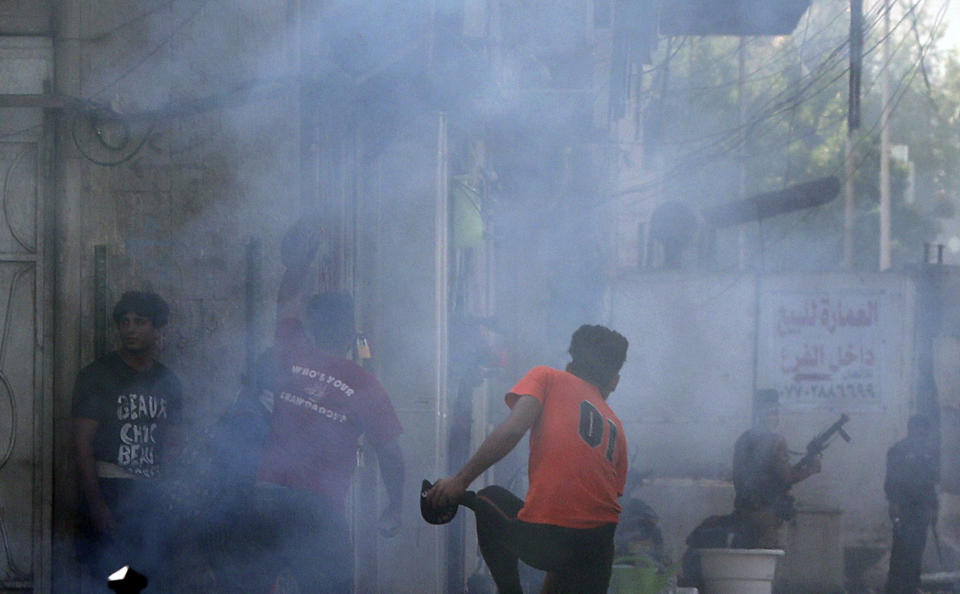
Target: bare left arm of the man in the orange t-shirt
[[498, 444]]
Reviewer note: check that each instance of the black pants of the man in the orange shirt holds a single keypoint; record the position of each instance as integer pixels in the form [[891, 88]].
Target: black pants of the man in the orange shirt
[[581, 559]]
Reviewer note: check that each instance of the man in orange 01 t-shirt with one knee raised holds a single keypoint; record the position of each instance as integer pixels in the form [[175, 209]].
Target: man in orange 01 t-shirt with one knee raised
[[577, 470]]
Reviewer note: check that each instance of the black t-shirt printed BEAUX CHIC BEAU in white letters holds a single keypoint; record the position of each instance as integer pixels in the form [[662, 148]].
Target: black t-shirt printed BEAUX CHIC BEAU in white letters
[[135, 411]]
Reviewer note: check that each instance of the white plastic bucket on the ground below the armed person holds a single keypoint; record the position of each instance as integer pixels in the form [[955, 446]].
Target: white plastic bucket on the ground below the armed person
[[738, 571]]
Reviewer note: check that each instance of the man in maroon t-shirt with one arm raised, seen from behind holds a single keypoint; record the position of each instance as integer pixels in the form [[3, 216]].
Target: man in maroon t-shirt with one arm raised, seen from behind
[[323, 404]]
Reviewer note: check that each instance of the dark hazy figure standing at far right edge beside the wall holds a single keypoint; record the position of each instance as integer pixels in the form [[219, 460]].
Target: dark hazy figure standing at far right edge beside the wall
[[913, 471]]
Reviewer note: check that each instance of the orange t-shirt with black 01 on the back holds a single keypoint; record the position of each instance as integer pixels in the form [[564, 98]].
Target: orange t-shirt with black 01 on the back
[[578, 452]]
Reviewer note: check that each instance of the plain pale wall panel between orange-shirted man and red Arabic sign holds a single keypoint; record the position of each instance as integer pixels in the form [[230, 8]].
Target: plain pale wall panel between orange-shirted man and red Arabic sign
[[686, 387]]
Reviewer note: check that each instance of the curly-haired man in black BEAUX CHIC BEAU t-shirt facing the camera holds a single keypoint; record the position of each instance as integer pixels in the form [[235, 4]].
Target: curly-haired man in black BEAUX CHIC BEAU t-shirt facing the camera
[[126, 410]]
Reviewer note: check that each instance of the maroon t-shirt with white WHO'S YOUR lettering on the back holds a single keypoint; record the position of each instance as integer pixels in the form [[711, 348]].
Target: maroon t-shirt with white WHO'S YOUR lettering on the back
[[322, 405]]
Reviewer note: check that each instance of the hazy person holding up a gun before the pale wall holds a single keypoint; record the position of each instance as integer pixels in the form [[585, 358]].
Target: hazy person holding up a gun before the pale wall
[[763, 475]]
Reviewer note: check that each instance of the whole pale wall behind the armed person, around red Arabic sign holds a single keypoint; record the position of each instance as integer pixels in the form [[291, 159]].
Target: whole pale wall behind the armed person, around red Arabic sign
[[699, 345]]
